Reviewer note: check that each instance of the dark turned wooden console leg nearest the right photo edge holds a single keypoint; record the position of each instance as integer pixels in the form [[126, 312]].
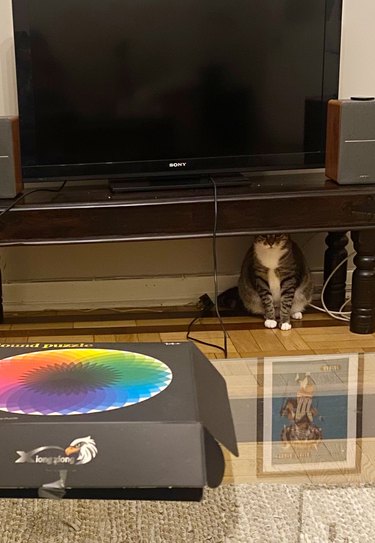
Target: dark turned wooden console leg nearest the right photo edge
[[363, 287]]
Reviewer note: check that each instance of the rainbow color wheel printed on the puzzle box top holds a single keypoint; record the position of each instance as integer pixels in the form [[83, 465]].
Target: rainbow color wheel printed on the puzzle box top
[[79, 381]]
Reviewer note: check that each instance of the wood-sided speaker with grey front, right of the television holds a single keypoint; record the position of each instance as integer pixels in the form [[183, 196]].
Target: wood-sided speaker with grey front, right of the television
[[350, 150]]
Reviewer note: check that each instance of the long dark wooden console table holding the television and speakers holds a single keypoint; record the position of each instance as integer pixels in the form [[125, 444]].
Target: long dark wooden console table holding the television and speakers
[[275, 203]]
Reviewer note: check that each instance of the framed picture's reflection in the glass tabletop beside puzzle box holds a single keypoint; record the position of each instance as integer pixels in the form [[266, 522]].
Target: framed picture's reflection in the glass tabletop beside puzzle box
[[308, 414]]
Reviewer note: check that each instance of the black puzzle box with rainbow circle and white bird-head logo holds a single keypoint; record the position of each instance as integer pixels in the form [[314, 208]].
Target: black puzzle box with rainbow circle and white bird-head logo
[[105, 420]]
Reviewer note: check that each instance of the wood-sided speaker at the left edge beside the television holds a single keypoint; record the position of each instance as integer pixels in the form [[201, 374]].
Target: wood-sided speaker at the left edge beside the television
[[10, 158]]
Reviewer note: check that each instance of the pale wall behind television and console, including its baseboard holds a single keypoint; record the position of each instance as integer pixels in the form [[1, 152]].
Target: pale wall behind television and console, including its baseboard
[[158, 273]]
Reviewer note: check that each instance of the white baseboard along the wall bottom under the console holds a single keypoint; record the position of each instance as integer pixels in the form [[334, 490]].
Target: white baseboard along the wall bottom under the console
[[120, 293]]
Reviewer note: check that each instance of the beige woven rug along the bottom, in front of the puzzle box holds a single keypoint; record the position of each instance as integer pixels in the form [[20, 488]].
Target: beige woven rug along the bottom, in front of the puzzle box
[[244, 513]]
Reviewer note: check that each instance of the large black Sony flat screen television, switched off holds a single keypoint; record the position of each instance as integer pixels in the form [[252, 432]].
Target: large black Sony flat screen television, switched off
[[131, 90]]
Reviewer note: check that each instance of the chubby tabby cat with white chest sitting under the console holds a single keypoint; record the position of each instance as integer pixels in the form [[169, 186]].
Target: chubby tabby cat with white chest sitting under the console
[[275, 280]]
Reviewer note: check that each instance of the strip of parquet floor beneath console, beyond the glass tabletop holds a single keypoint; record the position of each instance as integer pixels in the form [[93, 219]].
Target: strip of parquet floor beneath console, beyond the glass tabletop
[[315, 334]]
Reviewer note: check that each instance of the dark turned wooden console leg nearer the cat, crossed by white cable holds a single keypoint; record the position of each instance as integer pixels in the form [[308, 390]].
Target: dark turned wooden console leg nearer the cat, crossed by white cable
[[334, 295]]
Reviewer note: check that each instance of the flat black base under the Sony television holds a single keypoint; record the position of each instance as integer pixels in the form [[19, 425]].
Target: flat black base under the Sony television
[[175, 182]]
